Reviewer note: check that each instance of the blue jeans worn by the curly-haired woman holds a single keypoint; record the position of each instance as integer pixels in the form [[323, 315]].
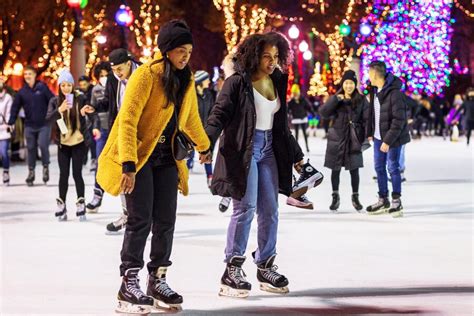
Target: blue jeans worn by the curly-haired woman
[[261, 196]]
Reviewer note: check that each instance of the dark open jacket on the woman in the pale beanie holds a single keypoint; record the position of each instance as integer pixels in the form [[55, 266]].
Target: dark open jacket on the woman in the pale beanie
[[53, 115]]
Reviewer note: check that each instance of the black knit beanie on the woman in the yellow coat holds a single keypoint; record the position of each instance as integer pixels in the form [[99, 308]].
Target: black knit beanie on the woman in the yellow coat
[[174, 34]]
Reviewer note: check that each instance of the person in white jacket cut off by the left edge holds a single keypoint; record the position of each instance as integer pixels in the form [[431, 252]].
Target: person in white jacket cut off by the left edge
[[6, 101]]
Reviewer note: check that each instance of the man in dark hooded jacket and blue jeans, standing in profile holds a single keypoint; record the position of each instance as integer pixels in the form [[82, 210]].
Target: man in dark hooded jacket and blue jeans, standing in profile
[[387, 127]]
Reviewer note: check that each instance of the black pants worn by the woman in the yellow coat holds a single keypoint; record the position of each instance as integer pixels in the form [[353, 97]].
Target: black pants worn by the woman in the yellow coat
[[151, 205]]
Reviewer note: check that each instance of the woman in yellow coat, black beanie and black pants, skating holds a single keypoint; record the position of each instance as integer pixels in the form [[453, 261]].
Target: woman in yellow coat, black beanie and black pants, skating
[[138, 160]]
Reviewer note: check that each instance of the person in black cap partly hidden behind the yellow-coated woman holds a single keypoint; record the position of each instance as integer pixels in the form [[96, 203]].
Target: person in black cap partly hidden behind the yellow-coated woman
[[100, 123]]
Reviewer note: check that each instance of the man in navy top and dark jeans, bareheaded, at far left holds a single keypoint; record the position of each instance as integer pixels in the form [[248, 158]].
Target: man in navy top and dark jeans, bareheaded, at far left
[[34, 97]]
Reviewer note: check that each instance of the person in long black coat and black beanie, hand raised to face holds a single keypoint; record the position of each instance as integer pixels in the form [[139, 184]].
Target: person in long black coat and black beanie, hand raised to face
[[348, 107]]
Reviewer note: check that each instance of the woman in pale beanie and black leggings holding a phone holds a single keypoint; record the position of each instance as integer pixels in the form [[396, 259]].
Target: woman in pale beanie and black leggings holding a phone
[[64, 113]]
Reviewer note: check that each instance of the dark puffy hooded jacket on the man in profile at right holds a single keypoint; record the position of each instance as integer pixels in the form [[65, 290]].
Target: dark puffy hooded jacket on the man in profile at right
[[393, 113]]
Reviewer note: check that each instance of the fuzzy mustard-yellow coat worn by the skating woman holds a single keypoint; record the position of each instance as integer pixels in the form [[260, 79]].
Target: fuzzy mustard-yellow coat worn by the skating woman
[[141, 121]]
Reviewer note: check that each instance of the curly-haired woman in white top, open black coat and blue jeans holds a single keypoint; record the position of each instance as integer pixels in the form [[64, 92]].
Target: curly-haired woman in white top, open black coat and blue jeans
[[255, 158]]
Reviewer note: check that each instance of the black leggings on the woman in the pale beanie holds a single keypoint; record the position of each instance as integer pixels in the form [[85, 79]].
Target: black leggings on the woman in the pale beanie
[[65, 155]]
